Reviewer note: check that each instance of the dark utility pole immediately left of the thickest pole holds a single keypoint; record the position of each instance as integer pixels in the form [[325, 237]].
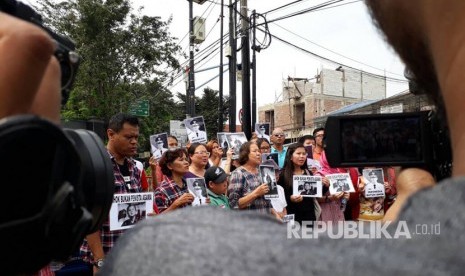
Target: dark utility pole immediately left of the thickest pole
[[232, 66]]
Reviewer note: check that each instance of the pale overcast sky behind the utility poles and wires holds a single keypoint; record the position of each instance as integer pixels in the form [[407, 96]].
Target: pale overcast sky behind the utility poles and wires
[[343, 32]]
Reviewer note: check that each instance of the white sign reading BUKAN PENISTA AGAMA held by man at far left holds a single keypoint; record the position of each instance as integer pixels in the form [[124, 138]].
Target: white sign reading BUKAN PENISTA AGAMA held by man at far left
[[128, 209]]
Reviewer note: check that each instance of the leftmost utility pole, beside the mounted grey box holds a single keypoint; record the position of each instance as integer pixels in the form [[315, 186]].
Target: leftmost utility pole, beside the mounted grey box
[[190, 97]]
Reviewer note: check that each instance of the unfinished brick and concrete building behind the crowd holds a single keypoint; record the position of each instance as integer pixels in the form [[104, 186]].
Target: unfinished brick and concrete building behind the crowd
[[303, 100]]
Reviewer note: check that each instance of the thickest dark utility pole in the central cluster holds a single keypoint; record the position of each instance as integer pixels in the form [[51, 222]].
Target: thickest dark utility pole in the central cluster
[[245, 71]]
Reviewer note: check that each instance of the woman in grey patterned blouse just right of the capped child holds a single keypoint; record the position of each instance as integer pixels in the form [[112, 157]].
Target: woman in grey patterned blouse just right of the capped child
[[246, 191]]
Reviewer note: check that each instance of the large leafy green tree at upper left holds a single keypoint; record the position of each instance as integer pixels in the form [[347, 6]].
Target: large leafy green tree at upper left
[[122, 56]]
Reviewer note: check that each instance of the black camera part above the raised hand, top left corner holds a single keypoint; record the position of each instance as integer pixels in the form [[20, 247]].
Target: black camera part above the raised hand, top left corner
[[65, 52]]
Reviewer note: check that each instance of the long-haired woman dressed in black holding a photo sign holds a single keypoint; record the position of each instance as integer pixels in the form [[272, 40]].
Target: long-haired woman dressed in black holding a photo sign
[[295, 163]]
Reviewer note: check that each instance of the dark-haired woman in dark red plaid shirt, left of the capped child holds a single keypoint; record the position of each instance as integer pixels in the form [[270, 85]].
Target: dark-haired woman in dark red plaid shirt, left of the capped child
[[172, 193]]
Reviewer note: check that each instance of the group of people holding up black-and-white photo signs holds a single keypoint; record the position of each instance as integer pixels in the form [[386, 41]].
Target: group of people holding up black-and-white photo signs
[[236, 184]]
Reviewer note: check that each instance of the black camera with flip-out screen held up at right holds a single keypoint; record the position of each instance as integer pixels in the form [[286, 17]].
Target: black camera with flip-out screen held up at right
[[416, 139]]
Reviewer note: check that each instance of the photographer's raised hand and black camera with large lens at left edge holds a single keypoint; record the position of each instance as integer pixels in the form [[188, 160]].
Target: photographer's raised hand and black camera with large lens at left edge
[[68, 188]]
